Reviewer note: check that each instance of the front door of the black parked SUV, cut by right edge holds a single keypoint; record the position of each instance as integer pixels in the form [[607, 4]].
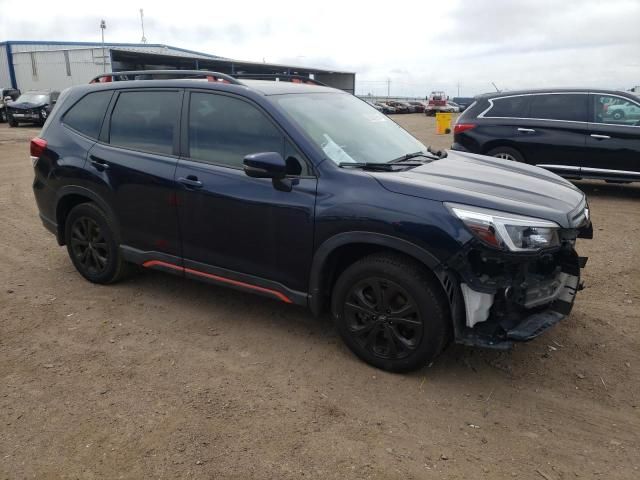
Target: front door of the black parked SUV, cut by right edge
[[614, 137]]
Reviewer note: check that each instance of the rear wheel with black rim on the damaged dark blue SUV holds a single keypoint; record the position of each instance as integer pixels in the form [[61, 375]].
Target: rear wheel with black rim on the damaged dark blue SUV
[[92, 245]]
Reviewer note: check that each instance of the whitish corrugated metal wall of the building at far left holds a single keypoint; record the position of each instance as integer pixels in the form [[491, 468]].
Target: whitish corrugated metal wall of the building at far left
[[47, 70]]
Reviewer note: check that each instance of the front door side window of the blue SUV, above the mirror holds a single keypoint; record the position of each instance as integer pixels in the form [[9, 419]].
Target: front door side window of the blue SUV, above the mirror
[[223, 130]]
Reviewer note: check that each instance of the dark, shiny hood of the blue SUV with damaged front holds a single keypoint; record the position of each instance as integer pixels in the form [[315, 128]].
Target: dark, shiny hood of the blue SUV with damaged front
[[489, 182]]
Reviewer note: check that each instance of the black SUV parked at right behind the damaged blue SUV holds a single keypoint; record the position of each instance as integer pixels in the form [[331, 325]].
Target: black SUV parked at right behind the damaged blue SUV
[[575, 133]]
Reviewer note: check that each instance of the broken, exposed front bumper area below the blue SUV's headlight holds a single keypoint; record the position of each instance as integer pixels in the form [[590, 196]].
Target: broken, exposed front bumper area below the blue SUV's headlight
[[506, 298]]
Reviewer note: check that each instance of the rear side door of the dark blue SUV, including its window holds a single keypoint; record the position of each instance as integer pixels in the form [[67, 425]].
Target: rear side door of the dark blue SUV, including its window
[[133, 167]]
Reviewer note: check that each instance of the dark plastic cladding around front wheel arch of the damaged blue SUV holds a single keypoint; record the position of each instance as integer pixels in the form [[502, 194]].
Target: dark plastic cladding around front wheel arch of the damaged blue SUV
[[341, 250]]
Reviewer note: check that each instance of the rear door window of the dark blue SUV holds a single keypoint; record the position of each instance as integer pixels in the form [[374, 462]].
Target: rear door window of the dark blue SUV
[[145, 121]]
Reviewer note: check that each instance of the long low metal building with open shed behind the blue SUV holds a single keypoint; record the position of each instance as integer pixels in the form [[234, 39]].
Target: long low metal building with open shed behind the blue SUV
[[45, 65]]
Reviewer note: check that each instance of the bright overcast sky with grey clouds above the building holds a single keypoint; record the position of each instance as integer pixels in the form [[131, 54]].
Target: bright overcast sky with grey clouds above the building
[[419, 45]]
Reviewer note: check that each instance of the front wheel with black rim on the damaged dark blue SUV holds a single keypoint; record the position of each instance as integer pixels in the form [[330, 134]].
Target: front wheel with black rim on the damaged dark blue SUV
[[391, 312]]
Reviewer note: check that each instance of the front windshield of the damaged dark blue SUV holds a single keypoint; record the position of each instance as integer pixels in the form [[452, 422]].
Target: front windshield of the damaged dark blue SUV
[[348, 129]]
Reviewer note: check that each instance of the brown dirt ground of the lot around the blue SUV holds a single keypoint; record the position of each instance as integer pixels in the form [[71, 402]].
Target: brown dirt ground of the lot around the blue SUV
[[159, 377]]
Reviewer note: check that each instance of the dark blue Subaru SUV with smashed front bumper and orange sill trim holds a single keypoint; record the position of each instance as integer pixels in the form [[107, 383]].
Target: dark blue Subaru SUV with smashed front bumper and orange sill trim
[[308, 195]]
